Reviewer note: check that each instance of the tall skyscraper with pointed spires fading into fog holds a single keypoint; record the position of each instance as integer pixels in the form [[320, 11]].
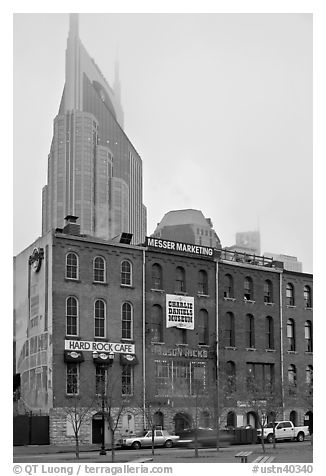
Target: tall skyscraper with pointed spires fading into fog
[[94, 172]]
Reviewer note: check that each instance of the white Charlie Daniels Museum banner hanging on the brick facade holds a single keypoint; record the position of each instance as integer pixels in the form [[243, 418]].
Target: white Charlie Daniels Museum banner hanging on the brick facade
[[179, 311]]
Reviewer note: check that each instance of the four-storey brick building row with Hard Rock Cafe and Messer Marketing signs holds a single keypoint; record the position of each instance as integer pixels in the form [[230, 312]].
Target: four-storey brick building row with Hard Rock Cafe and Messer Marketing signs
[[157, 324]]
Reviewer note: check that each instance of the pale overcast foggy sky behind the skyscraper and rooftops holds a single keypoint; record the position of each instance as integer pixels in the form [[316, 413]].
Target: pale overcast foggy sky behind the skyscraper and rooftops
[[219, 107]]
